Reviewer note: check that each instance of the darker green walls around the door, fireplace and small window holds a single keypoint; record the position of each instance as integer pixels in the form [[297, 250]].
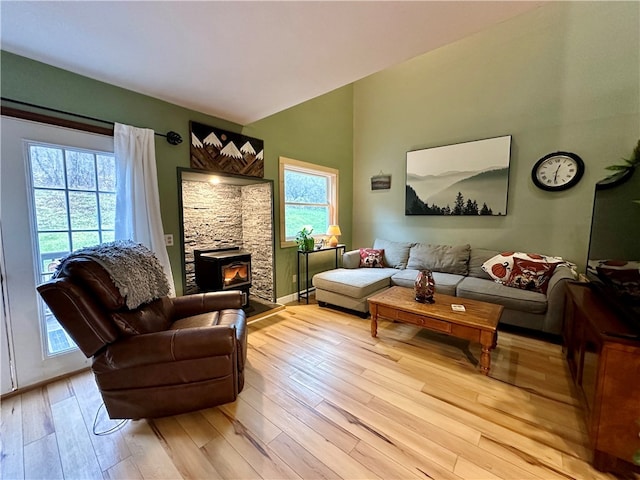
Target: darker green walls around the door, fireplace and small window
[[314, 131]]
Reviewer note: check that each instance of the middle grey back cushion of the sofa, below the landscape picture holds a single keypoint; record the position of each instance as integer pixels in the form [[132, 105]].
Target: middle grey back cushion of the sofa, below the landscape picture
[[440, 258]]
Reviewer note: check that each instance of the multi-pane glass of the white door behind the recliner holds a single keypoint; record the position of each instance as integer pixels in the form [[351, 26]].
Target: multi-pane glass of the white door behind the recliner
[[73, 204]]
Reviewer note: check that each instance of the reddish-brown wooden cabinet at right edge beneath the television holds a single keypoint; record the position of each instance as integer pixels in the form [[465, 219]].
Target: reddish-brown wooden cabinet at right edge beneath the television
[[604, 359]]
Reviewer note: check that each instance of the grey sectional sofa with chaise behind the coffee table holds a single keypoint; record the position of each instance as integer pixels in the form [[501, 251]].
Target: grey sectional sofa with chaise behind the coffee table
[[457, 271]]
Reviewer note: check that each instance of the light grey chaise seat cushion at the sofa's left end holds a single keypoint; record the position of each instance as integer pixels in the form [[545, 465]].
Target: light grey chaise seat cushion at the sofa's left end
[[356, 283]]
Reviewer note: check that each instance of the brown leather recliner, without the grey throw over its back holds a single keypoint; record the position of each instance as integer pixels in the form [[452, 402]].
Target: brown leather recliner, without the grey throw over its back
[[169, 356]]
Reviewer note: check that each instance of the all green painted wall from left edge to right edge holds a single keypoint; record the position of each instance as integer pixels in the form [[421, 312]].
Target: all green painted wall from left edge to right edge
[[562, 77]]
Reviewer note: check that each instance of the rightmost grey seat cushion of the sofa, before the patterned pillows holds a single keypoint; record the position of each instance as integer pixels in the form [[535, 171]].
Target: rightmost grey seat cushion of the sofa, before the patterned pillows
[[493, 292]]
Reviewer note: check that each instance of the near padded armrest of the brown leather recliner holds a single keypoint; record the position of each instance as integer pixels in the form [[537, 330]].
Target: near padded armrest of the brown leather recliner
[[167, 346]]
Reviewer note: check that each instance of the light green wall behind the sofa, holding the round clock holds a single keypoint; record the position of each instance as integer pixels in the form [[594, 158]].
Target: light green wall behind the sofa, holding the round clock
[[562, 77]]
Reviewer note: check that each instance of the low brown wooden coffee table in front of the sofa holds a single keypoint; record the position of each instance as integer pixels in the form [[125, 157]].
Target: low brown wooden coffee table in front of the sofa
[[477, 324]]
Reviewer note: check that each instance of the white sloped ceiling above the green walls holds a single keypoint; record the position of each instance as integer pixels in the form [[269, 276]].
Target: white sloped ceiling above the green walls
[[238, 60]]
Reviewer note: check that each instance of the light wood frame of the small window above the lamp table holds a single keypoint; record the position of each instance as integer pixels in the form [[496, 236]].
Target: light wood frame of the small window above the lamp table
[[312, 169]]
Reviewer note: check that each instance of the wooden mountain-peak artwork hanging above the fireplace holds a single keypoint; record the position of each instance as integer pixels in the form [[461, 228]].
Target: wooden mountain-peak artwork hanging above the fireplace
[[226, 152]]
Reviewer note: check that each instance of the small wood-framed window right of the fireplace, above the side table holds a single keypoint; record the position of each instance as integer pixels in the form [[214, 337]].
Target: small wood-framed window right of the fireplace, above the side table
[[308, 197]]
